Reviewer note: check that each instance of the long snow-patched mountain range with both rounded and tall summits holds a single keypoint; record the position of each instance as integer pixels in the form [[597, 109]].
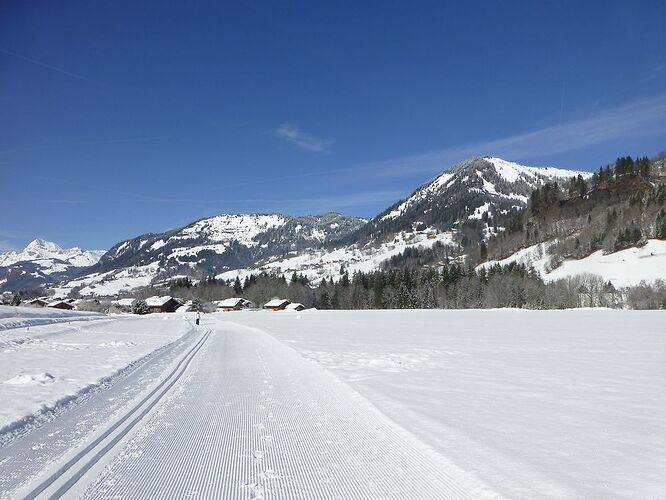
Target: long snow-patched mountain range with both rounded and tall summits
[[480, 193]]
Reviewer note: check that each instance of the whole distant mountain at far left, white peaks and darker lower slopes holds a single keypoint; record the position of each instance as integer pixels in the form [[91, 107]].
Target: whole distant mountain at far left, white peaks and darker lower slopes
[[43, 262]]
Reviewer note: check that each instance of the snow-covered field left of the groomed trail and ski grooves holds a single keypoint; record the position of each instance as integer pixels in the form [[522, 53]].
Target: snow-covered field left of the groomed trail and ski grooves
[[47, 355]]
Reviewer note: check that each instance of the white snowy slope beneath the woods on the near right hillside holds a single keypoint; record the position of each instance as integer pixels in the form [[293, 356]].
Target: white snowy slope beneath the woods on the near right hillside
[[623, 268]]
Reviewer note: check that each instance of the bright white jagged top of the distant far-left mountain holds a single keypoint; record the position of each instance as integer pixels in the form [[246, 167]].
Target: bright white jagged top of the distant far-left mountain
[[51, 256]]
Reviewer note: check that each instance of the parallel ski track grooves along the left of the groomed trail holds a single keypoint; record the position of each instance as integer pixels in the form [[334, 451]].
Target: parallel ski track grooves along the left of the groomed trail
[[164, 386]]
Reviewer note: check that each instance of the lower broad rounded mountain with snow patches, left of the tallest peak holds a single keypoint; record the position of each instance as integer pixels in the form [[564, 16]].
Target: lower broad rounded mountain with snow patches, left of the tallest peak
[[208, 247]]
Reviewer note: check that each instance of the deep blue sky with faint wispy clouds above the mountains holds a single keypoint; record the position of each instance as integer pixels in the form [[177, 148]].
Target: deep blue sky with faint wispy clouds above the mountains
[[125, 117]]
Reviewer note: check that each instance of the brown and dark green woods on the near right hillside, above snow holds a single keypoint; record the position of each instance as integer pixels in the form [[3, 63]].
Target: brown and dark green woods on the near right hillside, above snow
[[618, 207]]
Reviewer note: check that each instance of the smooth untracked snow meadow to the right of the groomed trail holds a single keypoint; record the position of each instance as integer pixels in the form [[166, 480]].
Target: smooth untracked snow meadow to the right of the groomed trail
[[534, 404]]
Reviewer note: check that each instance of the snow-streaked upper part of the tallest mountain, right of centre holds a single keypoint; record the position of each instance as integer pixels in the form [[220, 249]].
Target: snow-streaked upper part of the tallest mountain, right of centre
[[476, 182]]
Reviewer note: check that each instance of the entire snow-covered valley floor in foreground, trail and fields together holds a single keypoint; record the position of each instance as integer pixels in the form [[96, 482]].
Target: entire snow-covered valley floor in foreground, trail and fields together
[[340, 404]]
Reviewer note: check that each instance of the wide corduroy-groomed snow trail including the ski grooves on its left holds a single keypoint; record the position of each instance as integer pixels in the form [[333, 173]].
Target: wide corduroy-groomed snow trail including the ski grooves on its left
[[251, 418]]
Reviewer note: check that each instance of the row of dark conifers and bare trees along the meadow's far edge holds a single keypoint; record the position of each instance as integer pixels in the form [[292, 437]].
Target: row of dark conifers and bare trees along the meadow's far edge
[[427, 287]]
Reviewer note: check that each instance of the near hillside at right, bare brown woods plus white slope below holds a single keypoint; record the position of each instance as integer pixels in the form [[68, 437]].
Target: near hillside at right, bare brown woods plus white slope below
[[612, 225]]
